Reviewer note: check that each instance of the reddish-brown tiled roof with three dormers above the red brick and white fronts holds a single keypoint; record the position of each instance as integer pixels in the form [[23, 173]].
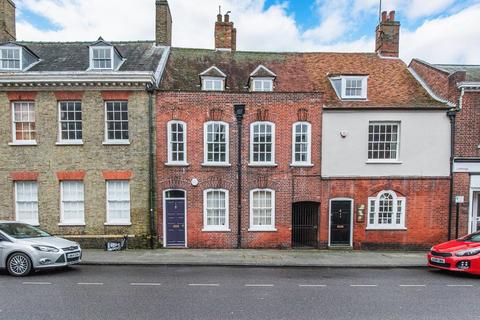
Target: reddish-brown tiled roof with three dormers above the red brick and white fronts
[[390, 84]]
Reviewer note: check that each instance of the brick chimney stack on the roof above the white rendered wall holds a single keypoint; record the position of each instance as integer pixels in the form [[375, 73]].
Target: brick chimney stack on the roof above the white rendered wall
[[387, 41]]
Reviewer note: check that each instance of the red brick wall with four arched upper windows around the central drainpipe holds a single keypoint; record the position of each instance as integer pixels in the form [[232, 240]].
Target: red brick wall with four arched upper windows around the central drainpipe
[[290, 184]]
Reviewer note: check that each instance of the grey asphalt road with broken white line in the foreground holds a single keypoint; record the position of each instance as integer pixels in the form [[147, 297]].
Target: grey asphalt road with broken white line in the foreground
[[109, 292]]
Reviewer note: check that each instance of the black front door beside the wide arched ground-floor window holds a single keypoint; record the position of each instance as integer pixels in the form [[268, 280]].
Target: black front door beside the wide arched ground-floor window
[[340, 220]]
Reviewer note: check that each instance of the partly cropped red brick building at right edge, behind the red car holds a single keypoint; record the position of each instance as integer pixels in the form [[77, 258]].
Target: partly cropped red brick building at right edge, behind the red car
[[460, 86]]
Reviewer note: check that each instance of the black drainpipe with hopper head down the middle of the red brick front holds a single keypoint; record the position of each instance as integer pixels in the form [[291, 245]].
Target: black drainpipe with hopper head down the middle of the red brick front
[[239, 113]]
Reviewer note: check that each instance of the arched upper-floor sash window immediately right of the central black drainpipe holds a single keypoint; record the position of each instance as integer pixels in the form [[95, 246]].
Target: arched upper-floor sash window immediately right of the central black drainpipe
[[262, 143]]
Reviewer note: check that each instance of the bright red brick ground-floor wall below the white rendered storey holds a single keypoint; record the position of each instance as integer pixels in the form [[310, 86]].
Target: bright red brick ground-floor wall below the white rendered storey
[[426, 211]]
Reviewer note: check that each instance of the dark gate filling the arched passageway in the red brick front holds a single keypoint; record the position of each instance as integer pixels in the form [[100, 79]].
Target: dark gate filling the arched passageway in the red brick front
[[305, 224]]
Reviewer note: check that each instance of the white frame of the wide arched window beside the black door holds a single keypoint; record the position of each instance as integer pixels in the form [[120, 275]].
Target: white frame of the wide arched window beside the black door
[[375, 201]]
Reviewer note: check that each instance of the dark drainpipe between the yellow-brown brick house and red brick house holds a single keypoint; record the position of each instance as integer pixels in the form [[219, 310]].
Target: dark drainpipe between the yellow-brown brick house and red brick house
[[151, 166]]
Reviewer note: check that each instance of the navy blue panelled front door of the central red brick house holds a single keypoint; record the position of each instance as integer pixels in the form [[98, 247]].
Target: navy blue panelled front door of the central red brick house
[[175, 216]]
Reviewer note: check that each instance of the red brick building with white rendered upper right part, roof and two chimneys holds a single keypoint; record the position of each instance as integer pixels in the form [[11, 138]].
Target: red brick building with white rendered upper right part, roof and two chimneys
[[269, 149]]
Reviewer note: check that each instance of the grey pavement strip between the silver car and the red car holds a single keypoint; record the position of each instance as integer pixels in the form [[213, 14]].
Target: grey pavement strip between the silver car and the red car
[[258, 258]]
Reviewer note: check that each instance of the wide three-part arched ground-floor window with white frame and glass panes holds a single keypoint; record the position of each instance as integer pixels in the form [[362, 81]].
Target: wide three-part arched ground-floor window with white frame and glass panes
[[386, 211]]
